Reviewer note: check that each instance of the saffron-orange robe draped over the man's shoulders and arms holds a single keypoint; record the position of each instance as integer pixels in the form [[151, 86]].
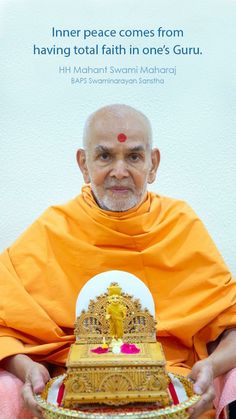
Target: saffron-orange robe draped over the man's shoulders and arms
[[161, 241]]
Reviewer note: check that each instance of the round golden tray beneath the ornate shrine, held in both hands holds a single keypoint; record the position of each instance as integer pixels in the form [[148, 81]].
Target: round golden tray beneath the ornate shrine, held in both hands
[[135, 411]]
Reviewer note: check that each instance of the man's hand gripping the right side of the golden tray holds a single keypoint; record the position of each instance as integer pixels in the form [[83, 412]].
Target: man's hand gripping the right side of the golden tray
[[202, 375]]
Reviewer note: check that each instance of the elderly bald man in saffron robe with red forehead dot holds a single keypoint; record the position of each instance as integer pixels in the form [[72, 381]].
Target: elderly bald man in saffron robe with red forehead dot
[[115, 224]]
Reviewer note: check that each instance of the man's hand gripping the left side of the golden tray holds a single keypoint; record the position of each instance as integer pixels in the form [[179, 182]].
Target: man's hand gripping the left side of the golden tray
[[36, 377]]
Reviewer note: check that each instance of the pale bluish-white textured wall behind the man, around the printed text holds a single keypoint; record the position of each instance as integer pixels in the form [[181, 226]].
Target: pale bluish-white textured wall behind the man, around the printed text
[[193, 113]]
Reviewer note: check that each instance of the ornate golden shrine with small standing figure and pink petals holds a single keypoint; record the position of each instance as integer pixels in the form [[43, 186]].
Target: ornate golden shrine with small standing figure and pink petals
[[113, 377]]
